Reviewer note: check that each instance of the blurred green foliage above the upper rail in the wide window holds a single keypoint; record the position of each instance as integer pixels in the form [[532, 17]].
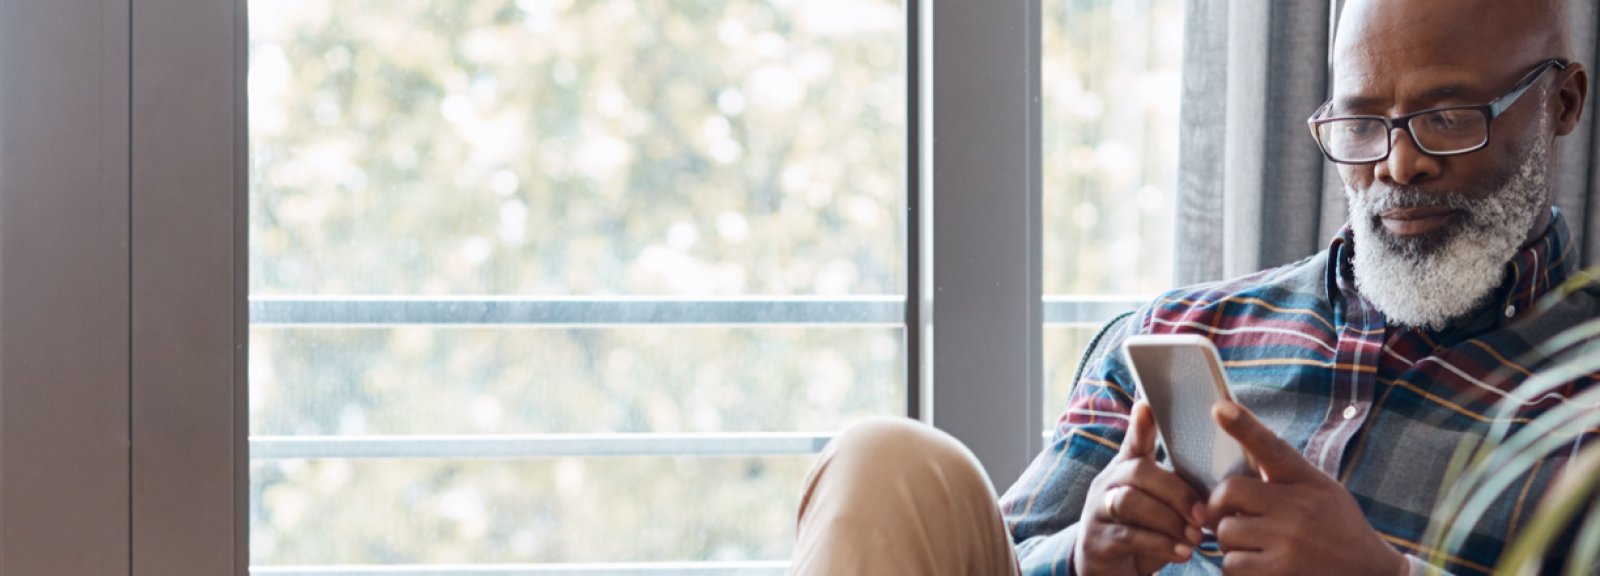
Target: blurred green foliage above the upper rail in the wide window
[[577, 148]]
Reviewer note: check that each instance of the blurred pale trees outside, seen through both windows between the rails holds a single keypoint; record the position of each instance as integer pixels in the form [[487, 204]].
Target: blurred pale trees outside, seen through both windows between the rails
[[628, 148]]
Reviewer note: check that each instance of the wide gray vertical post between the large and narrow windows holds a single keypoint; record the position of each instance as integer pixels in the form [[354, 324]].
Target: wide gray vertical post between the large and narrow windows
[[985, 217]]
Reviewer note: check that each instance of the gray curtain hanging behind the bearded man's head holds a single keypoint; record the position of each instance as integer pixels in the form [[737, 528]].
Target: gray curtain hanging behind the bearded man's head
[[1254, 191]]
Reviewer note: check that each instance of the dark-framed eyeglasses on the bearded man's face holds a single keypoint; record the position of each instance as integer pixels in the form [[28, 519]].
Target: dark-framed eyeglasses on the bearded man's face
[[1436, 132]]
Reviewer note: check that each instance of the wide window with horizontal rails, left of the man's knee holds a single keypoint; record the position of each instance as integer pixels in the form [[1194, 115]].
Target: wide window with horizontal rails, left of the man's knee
[[566, 282]]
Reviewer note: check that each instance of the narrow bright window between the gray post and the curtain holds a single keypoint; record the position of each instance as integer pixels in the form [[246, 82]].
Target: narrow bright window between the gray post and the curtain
[[1111, 84]]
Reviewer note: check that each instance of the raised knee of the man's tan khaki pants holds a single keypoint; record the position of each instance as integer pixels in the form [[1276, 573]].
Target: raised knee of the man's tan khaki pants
[[895, 497]]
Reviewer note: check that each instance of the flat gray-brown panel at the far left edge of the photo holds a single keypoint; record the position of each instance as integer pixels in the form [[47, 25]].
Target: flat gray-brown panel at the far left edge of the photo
[[63, 287]]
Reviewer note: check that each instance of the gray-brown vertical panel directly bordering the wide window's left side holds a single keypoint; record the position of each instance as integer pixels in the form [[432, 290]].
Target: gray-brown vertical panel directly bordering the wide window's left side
[[188, 292]]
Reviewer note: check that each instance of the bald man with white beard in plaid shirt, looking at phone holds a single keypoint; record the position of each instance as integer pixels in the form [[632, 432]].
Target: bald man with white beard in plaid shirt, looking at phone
[[1358, 372]]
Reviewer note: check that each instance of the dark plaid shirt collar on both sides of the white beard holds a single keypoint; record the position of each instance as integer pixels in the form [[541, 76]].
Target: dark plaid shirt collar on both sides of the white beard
[[1529, 276]]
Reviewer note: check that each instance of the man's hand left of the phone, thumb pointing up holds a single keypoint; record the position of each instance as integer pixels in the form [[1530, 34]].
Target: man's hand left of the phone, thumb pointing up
[[1138, 518]]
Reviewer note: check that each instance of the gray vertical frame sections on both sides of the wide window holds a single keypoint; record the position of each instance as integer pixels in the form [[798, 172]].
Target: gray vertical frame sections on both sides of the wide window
[[124, 271]]
